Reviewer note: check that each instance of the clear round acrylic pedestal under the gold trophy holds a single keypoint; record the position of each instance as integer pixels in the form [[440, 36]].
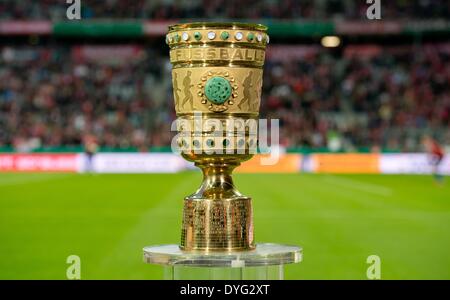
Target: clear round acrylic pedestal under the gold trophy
[[266, 261]]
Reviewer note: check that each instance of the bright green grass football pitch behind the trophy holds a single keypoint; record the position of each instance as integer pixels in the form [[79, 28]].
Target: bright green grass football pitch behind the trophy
[[339, 220]]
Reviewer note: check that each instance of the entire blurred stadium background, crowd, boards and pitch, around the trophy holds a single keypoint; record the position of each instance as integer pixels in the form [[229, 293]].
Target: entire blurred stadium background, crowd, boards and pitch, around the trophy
[[353, 95]]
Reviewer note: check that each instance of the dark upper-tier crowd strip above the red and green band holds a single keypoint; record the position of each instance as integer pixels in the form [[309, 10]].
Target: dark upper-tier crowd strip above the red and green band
[[266, 9]]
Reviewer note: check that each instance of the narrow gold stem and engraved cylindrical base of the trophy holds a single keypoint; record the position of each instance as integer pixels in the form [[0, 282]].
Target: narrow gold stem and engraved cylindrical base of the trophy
[[217, 217]]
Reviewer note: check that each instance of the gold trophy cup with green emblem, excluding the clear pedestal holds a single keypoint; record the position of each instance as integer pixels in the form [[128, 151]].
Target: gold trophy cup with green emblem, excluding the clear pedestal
[[217, 73]]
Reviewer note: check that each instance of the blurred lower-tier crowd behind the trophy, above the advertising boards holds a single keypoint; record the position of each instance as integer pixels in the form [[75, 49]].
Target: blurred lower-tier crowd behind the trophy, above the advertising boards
[[52, 96]]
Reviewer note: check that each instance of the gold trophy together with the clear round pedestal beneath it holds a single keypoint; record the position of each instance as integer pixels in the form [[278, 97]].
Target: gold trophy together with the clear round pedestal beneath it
[[217, 82]]
